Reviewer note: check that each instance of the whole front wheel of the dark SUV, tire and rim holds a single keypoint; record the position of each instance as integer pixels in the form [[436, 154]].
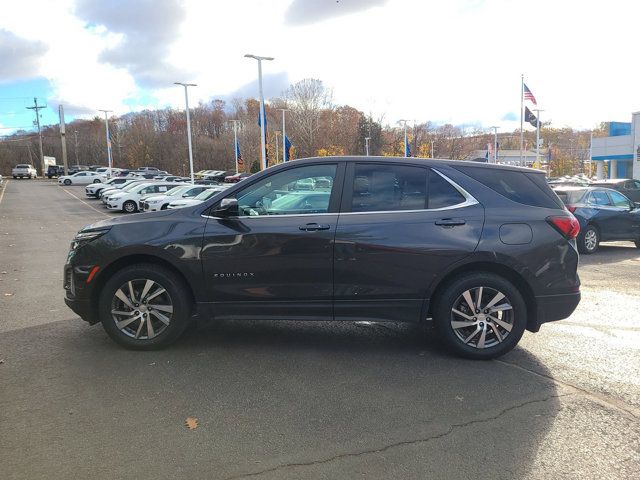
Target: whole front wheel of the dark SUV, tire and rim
[[145, 307]]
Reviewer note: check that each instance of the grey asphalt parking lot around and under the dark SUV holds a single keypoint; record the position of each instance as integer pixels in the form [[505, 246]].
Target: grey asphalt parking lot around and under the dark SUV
[[303, 400]]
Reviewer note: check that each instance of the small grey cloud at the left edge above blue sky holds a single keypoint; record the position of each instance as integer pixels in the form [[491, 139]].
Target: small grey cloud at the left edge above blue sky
[[20, 57]]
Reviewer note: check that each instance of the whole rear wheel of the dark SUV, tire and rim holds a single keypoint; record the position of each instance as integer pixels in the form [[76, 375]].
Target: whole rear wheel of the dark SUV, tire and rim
[[480, 315]]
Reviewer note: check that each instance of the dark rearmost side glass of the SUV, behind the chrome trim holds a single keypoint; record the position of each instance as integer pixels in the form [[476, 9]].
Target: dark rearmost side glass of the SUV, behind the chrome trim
[[521, 187]]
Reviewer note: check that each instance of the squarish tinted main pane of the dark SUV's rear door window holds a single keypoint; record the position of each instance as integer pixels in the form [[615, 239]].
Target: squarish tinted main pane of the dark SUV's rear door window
[[380, 188]]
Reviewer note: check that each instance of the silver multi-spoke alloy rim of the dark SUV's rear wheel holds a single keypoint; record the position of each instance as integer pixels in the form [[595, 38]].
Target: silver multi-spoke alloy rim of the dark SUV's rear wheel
[[482, 317]]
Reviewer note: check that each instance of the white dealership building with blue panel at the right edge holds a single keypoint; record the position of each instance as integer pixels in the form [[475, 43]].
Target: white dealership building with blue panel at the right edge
[[620, 150]]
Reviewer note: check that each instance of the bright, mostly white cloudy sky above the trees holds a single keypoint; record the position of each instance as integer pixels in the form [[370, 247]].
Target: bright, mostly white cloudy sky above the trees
[[456, 61]]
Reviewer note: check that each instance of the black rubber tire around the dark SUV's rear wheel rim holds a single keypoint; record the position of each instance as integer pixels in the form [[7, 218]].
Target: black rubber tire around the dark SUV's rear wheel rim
[[447, 300]]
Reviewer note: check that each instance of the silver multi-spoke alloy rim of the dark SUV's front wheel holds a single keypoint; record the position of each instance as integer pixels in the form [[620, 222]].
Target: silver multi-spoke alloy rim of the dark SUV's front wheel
[[142, 309]]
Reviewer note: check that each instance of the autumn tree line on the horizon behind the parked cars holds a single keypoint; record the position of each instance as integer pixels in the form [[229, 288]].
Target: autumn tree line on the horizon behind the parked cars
[[315, 125]]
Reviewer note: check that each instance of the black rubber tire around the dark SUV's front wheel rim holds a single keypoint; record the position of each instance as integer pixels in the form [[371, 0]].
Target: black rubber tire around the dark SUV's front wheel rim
[[178, 294]]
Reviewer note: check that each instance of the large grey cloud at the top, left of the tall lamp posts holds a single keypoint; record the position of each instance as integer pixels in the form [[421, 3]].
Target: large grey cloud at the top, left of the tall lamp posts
[[148, 29]]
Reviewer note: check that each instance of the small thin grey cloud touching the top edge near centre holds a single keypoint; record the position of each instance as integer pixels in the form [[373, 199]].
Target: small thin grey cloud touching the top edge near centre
[[305, 12]]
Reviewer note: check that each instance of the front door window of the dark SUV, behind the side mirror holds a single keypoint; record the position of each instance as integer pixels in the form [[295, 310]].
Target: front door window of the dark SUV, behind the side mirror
[[300, 190]]
